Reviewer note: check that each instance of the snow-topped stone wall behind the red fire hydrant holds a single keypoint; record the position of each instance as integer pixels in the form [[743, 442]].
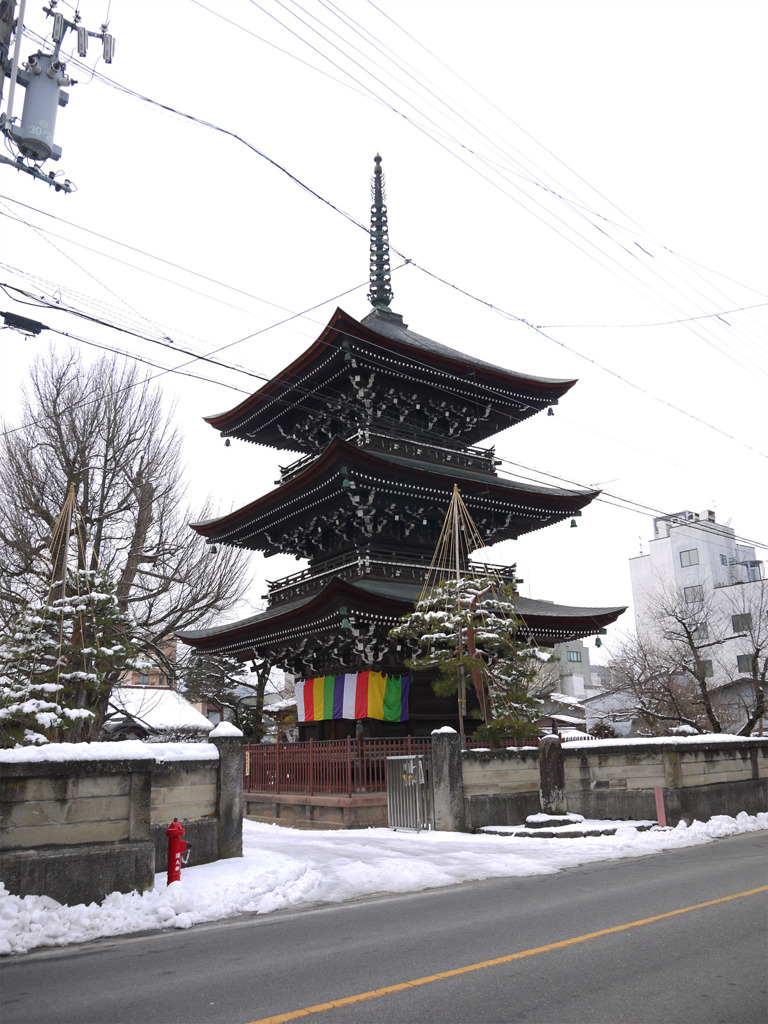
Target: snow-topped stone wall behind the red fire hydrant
[[81, 821]]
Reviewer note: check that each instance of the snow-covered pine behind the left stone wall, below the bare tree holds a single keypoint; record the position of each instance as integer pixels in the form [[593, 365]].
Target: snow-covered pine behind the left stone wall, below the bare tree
[[60, 662]]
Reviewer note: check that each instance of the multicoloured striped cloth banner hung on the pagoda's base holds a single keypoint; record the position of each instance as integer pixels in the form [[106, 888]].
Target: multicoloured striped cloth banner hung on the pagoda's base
[[362, 695]]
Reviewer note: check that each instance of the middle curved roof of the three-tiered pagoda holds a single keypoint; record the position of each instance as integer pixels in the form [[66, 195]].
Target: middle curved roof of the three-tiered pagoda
[[560, 501]]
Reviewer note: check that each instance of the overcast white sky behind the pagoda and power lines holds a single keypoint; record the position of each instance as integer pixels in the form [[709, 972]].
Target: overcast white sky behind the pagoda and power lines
[[592, 169]]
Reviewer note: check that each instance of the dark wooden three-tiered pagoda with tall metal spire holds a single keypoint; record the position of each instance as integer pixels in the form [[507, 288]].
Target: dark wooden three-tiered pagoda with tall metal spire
[[386, 423]]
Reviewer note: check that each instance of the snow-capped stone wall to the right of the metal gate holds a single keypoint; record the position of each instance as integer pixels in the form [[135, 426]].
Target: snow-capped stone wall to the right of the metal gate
[[606, 780]]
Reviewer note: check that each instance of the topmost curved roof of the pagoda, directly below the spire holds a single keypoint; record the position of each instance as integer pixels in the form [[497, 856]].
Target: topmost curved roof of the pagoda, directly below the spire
[[375, 328]]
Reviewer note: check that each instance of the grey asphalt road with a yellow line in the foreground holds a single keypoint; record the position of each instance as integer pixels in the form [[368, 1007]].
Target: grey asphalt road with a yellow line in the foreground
[[703, 965]]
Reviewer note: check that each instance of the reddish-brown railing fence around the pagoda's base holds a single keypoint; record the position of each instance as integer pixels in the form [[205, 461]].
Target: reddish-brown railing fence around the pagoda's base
[[342, 767]]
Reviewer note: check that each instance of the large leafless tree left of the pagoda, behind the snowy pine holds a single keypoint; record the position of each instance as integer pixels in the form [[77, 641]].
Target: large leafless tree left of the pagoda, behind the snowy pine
[[102, 431]]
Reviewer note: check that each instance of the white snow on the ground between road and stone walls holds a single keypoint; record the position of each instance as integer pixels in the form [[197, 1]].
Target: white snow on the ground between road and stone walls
[[287, 868]]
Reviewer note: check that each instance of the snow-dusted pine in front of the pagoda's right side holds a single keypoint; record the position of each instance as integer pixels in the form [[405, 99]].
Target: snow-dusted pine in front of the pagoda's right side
[[468, 626]]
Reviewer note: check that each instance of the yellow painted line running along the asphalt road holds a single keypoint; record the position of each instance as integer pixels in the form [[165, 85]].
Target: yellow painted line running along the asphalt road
[[391, 990]]
